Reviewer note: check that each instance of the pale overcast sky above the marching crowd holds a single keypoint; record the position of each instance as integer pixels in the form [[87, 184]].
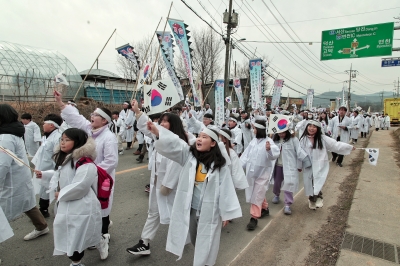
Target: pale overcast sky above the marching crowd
[[79, 30]]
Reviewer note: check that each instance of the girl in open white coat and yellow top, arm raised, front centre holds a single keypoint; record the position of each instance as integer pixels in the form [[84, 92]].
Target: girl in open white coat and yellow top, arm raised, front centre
[[205, 199]]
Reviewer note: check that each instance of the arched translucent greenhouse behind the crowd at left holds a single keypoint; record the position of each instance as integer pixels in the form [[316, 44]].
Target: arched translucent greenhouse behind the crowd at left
[[27, 73]]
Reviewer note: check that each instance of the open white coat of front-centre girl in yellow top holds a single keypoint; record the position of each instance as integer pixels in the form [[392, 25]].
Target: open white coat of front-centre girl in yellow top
[[219, 202]]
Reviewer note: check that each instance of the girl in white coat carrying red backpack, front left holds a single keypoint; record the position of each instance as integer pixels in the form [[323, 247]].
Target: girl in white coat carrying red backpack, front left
[[78, 219]]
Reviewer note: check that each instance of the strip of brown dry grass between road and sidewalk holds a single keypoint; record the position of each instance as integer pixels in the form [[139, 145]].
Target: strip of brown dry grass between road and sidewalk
[[325, 245]]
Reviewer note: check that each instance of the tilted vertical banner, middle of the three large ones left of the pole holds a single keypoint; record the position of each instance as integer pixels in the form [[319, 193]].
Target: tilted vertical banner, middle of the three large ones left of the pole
[[168, 57]]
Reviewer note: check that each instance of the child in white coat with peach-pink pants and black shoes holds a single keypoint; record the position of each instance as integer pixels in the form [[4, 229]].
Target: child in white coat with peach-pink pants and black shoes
[[258, 159]]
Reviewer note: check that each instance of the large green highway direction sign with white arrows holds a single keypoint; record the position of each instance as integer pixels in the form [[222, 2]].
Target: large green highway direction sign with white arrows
[[357, 42]]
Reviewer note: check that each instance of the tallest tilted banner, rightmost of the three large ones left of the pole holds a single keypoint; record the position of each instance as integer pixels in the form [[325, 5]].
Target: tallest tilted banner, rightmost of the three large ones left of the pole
[[181, 38]]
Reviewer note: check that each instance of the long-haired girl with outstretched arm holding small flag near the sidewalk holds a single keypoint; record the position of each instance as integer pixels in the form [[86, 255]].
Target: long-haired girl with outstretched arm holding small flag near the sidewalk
[[316, 145]]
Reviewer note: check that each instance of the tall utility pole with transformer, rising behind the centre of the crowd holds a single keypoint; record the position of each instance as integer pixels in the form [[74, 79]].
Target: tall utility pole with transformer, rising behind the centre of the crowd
[[232, 20]]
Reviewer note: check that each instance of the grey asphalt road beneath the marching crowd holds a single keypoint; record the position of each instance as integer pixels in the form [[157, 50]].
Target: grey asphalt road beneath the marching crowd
[[129, 214]]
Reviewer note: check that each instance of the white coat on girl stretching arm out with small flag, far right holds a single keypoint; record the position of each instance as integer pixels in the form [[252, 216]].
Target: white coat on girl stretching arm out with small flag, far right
[[315, 176]]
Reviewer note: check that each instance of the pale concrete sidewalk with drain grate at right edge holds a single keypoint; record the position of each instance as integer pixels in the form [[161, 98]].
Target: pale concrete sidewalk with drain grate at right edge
[[373, 233]]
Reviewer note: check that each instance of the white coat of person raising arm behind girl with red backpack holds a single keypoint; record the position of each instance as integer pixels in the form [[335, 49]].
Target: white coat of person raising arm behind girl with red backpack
[[106, 145]]
